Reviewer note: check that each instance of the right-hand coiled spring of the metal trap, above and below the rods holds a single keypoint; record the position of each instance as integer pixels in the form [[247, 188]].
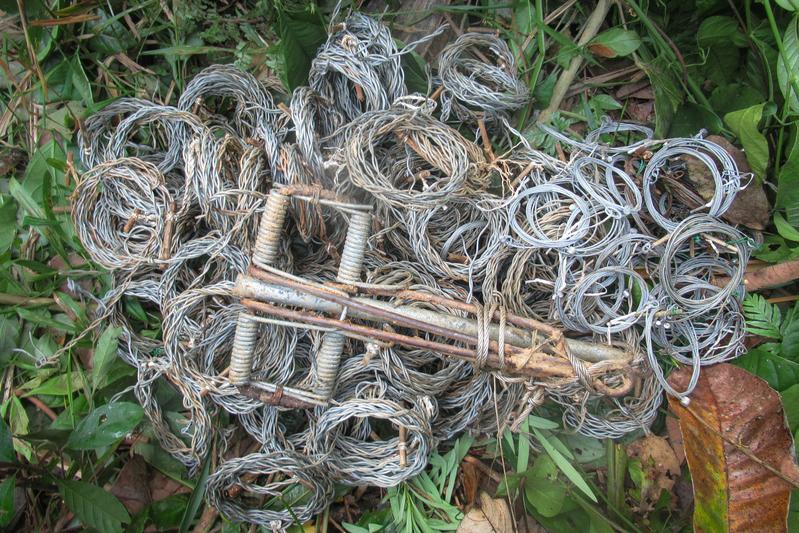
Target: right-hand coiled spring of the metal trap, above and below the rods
[[349, 271]]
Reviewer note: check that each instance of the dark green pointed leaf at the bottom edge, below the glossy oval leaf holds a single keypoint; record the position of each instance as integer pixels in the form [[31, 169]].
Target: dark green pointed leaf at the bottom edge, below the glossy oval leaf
[[95, 507]]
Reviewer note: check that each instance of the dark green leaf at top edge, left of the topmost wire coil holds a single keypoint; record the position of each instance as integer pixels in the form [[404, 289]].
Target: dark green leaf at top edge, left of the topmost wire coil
[[301, 35]]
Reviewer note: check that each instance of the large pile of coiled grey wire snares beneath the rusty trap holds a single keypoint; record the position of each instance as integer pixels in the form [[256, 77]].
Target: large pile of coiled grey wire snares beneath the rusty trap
[[597, 245]]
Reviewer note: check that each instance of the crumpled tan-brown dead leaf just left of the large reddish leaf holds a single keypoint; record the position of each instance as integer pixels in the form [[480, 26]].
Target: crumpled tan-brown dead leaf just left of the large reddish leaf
[[660, 466]]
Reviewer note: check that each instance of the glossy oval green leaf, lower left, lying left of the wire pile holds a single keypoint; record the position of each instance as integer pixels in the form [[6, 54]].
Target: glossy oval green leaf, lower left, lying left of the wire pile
[[105, 425]]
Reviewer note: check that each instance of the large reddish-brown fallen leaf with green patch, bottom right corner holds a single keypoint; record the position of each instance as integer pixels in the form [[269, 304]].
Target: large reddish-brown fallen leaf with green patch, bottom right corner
[[735, 439]]
